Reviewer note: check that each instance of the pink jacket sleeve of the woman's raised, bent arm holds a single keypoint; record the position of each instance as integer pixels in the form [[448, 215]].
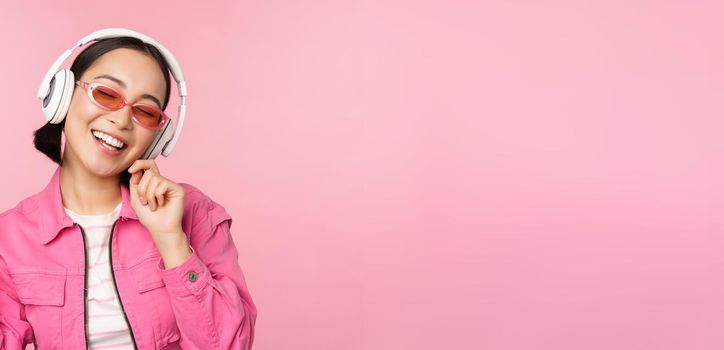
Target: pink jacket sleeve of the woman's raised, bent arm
[[209, 295]]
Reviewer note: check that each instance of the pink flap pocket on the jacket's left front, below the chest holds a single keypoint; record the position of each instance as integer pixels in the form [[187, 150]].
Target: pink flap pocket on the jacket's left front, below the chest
[[43, 296]]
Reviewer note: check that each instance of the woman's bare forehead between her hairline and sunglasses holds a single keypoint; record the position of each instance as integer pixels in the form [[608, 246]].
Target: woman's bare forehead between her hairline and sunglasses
[[138, 70]]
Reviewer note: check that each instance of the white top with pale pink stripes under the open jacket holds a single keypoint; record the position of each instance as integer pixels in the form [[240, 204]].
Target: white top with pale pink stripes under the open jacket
[[107, 328]]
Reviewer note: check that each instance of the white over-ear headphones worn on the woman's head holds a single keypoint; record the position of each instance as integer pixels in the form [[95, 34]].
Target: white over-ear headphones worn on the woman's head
[[57, 87]]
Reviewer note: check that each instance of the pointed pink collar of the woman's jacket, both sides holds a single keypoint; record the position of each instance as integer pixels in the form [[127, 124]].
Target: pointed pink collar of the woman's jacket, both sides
[[52, 215]]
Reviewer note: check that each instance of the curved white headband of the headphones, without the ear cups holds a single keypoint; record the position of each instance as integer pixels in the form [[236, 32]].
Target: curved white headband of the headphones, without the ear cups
[[174, 67]]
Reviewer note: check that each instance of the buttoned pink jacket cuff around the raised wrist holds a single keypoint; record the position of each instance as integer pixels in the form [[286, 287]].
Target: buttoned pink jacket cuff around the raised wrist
[[188, 278]]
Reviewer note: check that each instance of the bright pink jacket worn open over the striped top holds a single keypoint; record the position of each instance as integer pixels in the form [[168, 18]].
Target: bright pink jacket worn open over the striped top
[[202, 304]]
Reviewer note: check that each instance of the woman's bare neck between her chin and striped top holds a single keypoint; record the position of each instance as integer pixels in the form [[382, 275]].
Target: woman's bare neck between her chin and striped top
[[87, 193]]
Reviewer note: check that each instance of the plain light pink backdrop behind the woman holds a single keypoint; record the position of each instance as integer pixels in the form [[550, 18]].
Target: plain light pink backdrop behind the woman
[[437, 174]]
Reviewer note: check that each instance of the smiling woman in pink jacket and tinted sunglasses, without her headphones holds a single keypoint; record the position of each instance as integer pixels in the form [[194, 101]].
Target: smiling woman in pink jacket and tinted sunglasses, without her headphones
[[112, 254]]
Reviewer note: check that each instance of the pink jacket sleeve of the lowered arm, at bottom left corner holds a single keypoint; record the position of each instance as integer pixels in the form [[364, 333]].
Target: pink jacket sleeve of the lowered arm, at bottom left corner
[[15, 331]]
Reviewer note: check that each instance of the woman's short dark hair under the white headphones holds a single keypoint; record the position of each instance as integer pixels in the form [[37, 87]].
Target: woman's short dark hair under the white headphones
[[47, 139]]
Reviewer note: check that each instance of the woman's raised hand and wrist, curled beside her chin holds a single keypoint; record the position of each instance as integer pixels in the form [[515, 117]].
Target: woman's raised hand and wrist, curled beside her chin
[[159, 205]]
